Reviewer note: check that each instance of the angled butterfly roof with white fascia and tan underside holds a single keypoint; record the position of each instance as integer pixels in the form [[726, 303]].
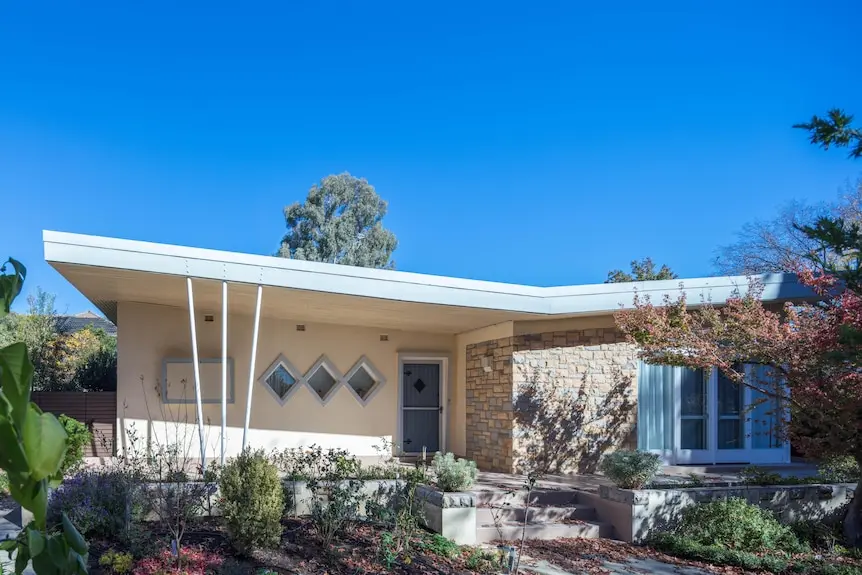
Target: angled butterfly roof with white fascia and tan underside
[[110, 270]]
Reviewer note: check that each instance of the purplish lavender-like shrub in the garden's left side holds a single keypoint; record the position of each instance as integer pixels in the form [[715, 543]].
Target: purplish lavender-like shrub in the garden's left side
[[101, 503]]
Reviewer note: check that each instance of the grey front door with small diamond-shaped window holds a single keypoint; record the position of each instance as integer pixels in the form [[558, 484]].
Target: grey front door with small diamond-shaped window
[[421, 409]]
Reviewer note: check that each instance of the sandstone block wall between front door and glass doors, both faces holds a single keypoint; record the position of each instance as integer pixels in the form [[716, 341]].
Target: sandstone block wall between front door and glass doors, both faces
[[566, 397]]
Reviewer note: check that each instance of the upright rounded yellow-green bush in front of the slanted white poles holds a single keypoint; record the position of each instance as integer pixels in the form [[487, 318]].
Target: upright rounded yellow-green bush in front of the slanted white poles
[[252, 501]]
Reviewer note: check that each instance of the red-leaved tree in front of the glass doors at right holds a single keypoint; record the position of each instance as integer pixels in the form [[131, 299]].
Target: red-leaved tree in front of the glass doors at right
[[811, 352]]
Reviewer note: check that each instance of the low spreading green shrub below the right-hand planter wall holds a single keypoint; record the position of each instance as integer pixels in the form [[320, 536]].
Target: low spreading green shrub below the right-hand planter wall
[[736, 524]]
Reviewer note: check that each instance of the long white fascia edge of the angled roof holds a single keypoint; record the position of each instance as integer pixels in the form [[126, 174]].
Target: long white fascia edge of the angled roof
[[66, 249]]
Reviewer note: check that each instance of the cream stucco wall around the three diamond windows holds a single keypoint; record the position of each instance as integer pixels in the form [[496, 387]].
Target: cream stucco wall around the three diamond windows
[[149, 333]]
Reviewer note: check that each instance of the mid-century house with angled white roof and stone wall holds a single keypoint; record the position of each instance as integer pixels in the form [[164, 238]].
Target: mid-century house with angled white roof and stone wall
[[239, 349]]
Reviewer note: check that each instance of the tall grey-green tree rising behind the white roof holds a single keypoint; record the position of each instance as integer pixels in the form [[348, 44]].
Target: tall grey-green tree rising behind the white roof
[[341, 222]]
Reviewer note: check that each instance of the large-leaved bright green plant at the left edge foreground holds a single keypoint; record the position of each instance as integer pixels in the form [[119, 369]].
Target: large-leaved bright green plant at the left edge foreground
[[32, 448]]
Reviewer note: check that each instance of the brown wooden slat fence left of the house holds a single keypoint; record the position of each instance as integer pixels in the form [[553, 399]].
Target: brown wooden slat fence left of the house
[[98, 410]]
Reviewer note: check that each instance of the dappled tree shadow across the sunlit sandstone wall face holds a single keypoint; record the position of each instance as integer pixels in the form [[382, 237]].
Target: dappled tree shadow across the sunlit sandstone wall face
[[562, 429]]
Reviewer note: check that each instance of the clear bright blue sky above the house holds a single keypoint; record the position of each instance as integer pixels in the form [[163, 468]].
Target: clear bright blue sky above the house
[[540, 143]]
